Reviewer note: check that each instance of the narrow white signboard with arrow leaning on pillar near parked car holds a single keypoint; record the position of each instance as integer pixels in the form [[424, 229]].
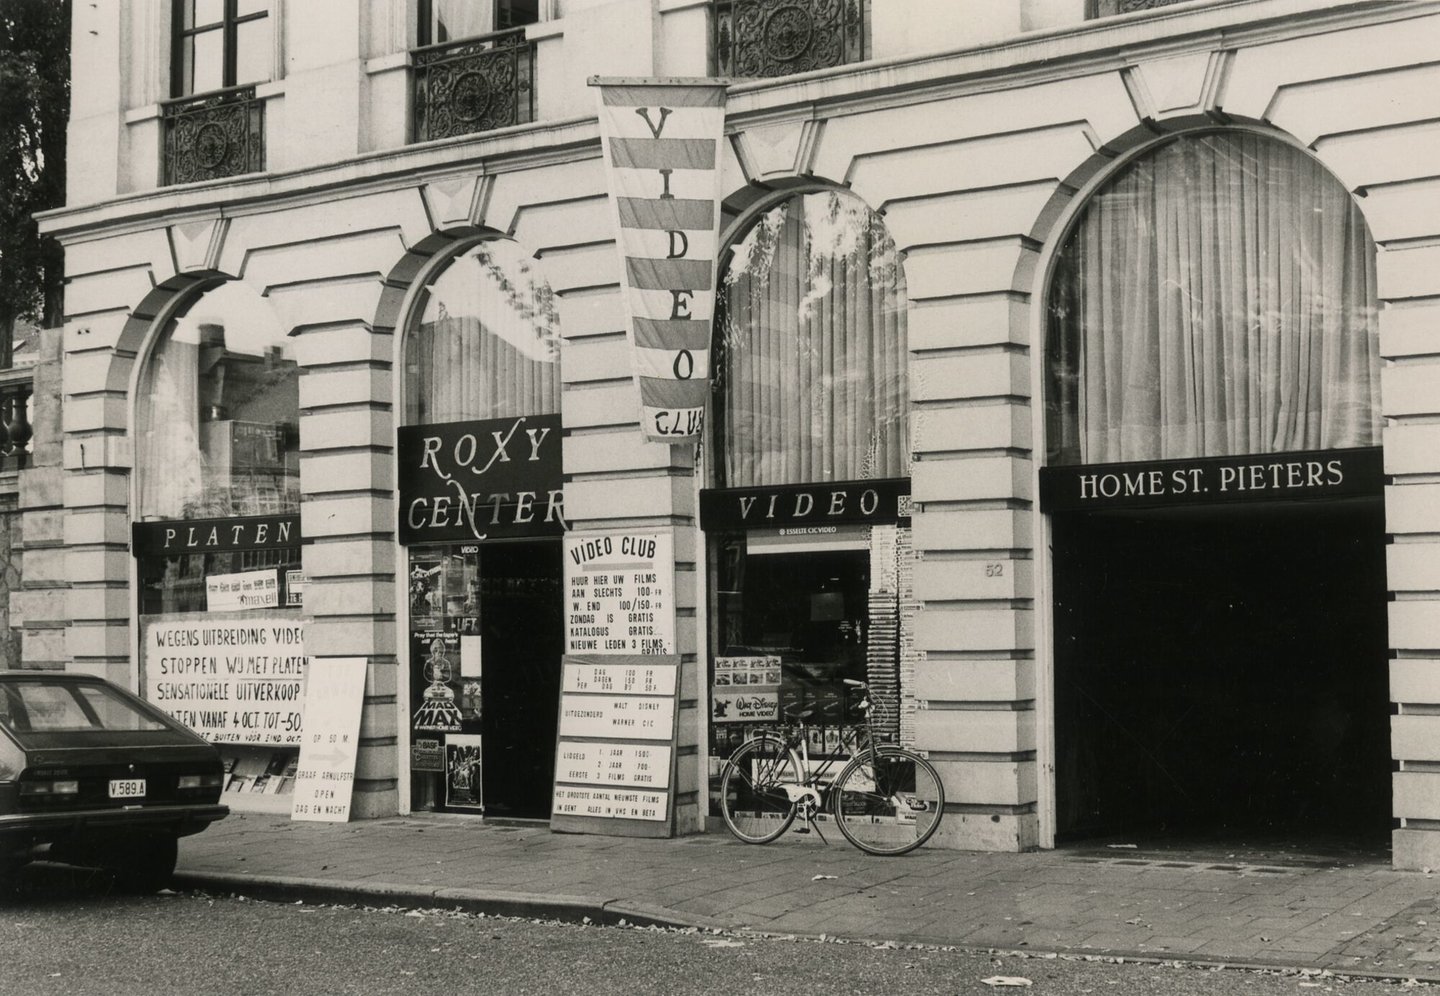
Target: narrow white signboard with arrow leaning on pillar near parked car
[[325, 779]]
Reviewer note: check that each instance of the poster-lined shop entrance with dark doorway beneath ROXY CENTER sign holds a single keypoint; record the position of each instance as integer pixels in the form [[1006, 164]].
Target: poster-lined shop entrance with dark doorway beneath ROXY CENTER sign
[[487, 634]]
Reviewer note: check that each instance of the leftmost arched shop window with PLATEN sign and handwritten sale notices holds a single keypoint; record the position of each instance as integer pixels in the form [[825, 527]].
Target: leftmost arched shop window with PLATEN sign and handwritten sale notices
[[217, 540]]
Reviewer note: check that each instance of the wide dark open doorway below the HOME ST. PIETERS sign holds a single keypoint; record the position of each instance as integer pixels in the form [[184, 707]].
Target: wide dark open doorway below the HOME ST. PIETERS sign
[[1222, 671]]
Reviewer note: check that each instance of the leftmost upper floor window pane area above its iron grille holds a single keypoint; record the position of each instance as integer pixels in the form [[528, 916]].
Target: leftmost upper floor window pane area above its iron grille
[[221, 44]]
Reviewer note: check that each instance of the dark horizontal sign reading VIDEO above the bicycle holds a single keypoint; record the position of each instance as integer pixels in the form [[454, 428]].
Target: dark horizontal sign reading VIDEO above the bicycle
[[813, 504]]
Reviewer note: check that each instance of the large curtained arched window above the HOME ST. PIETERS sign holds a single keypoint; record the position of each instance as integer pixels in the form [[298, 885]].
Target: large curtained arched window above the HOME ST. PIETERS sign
[[1216, 299]]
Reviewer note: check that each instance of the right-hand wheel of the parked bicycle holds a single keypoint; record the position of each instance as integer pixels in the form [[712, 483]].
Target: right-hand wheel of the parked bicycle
[[889, 801]]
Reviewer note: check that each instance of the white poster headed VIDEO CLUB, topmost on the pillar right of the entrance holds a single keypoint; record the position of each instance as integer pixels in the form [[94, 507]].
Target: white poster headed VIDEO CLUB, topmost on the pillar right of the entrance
[[620, 594]]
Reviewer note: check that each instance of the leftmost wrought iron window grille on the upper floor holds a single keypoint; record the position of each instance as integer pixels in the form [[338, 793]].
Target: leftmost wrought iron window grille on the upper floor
[[212, 136]]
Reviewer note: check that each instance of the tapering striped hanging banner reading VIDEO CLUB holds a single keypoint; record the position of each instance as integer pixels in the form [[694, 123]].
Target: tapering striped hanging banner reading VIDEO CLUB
[[662, 142]]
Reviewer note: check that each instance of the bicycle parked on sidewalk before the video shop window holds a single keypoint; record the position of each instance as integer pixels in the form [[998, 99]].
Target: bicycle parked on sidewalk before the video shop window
[[886, 800]]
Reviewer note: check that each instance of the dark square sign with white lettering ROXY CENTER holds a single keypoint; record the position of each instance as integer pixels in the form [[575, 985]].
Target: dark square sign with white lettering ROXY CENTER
[[485, 479]]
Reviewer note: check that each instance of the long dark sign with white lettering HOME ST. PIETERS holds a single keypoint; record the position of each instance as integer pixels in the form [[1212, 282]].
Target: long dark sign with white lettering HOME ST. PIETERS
[[1275, 477]]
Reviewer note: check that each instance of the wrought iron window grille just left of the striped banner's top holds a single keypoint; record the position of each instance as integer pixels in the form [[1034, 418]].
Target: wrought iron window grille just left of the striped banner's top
[[472, 86]]
